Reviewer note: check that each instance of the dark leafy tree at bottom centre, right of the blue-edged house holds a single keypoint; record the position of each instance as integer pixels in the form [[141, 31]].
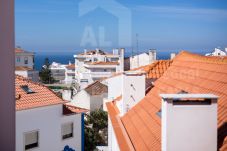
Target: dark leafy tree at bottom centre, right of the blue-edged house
[[96, 129]]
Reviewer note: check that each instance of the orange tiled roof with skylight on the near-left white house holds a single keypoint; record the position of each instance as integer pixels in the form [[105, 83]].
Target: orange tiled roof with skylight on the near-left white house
[[43, 96]]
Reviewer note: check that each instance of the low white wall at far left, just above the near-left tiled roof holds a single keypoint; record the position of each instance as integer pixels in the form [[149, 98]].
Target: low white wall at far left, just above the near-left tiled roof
[[30, 74]]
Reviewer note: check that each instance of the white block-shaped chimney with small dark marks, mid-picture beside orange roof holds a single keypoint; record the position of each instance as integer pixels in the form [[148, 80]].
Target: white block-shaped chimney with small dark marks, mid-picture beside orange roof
[[133, 88]]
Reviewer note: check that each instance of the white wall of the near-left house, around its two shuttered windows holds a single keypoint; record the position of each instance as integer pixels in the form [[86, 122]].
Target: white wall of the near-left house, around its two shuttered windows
[[48, 122]]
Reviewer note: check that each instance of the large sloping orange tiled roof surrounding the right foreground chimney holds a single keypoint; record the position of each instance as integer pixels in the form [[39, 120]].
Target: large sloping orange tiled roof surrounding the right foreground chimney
[[189, 72]]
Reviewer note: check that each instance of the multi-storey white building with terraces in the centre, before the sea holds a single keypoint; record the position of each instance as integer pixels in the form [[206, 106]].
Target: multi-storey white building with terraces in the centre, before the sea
[[95, 64]]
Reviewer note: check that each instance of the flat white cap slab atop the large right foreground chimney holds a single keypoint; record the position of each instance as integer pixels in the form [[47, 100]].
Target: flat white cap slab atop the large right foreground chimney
[[187, 96]]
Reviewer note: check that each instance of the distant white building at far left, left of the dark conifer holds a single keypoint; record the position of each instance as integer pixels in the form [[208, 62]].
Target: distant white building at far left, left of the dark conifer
[[24, 64]]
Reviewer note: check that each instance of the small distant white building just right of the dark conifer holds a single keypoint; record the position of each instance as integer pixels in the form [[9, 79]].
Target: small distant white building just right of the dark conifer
[[58, 71]]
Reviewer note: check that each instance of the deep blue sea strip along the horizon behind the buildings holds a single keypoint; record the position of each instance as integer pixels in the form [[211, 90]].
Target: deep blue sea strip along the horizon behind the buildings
[[66, 57]]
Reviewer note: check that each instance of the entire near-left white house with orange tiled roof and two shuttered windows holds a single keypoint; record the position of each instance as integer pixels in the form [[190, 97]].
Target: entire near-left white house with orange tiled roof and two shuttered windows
[[44, 121]]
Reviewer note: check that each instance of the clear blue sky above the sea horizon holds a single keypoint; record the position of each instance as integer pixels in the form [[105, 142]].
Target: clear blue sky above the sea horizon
[[167, 25]]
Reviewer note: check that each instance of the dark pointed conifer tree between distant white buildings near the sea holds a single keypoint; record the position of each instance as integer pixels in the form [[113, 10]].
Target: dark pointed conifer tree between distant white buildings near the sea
[[45, 73]]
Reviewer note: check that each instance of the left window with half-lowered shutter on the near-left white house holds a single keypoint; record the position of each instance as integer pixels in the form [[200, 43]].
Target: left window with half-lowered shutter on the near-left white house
[[31, 140]]
